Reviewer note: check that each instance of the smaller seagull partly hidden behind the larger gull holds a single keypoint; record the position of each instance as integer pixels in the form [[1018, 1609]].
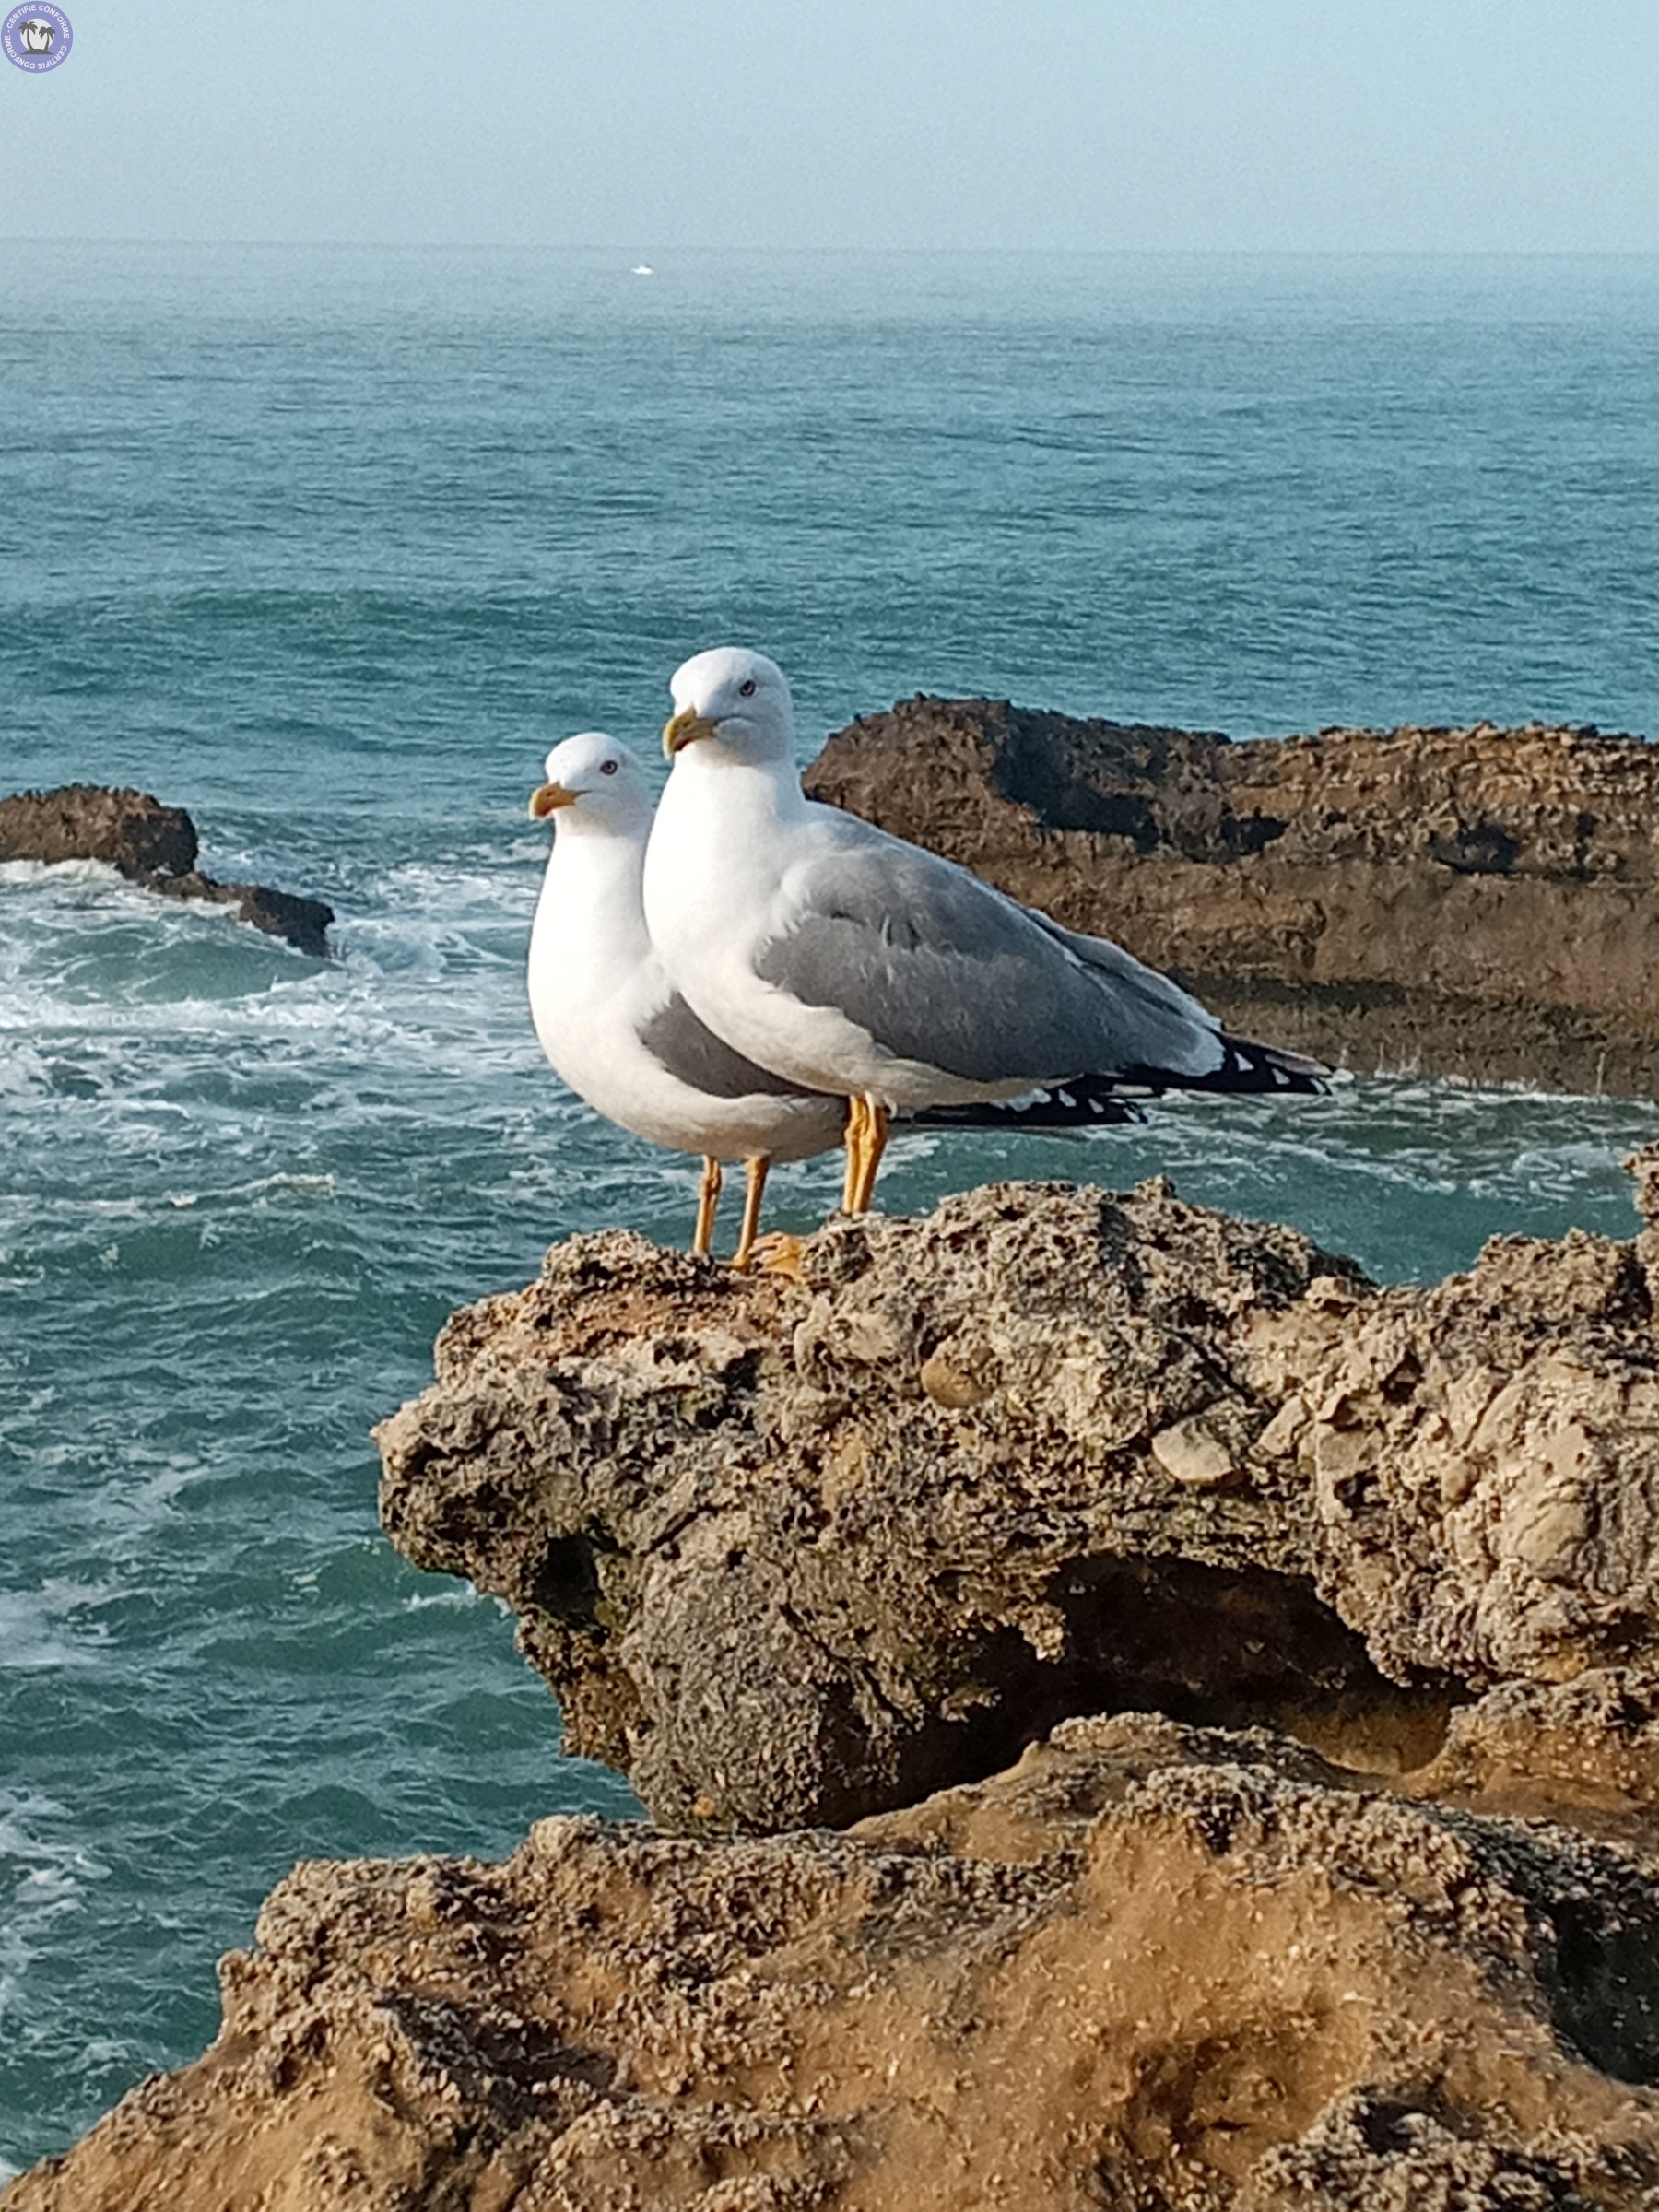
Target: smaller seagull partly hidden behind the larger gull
[[612, 1021]]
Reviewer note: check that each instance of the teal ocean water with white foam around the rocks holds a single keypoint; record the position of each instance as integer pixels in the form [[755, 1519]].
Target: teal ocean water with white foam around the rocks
[[331, 547]]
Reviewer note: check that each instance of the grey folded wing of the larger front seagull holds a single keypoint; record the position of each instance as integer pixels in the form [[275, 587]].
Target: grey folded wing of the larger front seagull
[[948, 972]]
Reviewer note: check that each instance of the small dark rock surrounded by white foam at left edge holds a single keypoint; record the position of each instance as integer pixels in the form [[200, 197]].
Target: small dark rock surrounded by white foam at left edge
[[154, 846]]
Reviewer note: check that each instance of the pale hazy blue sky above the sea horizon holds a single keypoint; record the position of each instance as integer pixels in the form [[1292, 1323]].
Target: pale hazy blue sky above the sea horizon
[[647, 125]]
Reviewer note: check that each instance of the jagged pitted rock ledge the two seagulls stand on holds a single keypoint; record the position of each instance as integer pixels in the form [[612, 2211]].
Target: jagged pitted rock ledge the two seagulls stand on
[[795, 1552]]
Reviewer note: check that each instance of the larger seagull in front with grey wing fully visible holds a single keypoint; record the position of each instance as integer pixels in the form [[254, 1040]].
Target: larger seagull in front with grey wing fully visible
[[855, 963]]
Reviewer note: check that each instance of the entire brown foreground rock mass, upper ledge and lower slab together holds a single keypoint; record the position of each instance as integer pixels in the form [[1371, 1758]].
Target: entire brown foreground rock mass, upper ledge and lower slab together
[[1235, 1689]]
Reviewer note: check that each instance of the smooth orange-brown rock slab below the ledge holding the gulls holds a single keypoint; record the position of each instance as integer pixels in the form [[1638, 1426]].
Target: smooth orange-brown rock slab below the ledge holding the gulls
[[1149, 1968]]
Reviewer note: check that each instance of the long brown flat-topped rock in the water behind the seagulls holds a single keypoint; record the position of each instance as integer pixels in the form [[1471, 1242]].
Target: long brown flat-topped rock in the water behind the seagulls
[[1470, 901]]
